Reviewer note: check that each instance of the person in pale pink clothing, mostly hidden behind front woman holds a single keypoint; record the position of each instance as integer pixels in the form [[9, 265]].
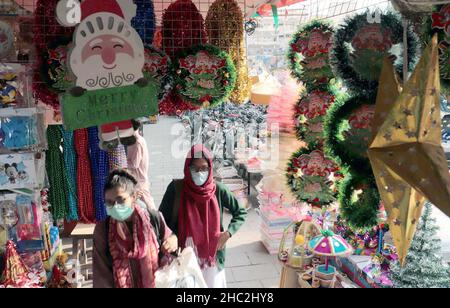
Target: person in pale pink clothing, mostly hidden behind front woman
[[138, 163]]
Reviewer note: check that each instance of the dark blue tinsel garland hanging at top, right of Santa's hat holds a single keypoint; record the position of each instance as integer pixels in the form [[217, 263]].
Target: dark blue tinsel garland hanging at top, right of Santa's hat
[[145, 20]]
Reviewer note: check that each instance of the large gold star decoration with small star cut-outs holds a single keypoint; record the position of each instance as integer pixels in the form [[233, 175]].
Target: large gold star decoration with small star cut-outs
[[423, 172]]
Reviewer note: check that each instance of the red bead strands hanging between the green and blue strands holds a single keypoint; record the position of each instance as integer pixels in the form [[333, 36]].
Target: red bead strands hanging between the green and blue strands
[[86, 208]]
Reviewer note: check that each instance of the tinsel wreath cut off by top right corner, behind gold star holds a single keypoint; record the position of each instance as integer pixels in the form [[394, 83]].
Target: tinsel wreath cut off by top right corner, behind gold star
[[439, 23]]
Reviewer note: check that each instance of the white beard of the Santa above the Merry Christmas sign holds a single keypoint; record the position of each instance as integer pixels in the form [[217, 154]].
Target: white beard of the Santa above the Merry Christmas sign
[[93, 76]]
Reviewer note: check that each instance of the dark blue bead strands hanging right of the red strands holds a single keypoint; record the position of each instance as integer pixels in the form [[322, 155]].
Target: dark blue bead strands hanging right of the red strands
[[100, 169]]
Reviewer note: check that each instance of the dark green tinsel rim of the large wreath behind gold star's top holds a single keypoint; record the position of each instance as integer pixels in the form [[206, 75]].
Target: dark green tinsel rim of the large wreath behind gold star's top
[[341, 58]]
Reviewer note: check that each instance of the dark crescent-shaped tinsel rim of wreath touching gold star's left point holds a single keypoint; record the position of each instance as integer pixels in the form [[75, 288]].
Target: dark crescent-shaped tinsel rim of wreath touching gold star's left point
[[335, 145]]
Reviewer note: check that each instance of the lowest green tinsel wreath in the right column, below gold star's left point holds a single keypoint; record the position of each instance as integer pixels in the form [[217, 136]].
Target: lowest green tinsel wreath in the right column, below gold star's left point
[[360, 212]]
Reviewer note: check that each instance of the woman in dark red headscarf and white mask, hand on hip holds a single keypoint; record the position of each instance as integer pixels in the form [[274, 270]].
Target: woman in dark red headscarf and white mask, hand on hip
[[194, 210]]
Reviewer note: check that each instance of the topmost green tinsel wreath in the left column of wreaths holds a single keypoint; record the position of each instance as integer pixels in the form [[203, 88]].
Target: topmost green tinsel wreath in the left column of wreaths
[[310, 77]]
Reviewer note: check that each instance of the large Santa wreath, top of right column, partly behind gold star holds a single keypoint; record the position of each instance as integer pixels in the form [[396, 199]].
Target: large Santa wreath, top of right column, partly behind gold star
[[360, 46]]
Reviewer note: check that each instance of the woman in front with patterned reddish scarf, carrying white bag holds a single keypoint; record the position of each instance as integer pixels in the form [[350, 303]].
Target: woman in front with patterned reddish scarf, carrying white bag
[[132, 243]]
